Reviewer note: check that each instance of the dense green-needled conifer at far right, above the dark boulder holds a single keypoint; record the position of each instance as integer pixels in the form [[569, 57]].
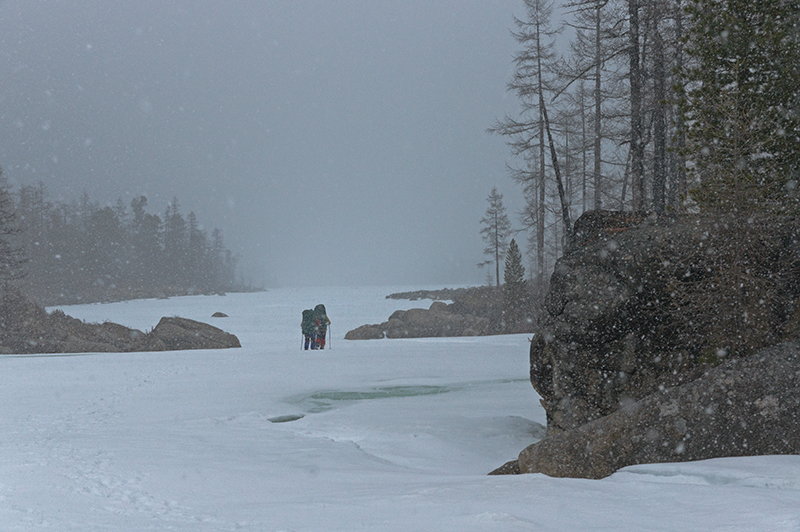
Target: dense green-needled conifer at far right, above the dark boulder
[[741, 102]]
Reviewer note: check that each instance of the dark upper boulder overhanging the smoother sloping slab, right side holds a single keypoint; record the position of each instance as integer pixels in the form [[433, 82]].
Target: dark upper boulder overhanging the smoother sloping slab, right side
[[640, 304]]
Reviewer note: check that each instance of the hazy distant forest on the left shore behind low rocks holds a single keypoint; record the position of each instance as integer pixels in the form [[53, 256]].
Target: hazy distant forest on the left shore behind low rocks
[[81, 252]]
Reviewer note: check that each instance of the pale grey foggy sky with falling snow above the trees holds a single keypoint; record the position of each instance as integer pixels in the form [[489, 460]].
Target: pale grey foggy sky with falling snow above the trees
[[335, 142]]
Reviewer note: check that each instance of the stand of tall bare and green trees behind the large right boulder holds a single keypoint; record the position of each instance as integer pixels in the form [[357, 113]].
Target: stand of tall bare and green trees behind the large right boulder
[[658, 106]]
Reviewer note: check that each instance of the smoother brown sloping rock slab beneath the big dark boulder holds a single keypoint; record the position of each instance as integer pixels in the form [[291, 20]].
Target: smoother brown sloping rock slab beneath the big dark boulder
[[745, 407]]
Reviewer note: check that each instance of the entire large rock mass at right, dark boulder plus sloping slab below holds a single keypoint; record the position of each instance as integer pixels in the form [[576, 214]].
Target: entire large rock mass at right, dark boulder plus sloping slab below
[[668, 340]]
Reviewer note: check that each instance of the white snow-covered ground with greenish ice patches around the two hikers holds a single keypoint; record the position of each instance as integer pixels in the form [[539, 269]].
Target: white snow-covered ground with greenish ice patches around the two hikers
[[394, 435]]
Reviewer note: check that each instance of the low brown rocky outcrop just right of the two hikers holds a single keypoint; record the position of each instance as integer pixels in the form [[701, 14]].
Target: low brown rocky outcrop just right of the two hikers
[[437, 321]]
